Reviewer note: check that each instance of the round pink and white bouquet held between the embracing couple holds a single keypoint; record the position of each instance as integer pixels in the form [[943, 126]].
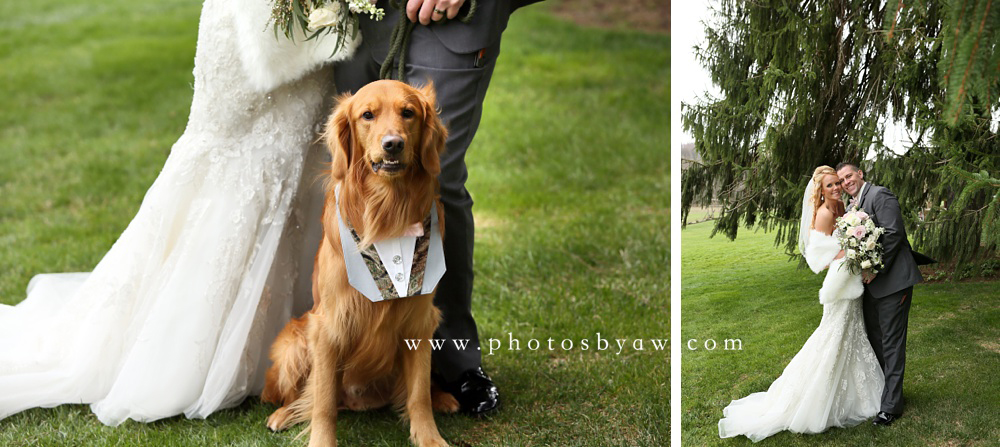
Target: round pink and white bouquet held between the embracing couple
[[858, 236]]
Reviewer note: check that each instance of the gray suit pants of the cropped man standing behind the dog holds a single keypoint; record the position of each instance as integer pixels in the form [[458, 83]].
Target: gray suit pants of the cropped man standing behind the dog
[[461, 81]]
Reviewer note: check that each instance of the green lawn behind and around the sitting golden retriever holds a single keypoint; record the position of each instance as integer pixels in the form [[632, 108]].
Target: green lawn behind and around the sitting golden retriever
[[569, 172]]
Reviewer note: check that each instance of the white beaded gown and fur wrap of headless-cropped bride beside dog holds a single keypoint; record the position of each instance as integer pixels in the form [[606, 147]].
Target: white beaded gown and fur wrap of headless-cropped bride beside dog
[[178, 315]]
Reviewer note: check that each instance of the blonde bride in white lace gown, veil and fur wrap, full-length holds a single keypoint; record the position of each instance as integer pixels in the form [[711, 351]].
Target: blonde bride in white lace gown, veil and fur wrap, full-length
[[835, 379]]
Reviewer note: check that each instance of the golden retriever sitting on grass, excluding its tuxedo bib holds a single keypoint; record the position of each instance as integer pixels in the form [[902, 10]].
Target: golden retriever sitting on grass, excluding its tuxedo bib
[[349, 352]]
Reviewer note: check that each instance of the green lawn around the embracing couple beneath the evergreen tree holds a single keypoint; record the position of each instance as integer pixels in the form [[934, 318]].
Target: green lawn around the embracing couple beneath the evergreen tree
[[748, 290]]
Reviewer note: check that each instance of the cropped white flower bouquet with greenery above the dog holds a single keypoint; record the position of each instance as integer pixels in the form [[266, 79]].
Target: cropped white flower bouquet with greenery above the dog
[[317, 17]]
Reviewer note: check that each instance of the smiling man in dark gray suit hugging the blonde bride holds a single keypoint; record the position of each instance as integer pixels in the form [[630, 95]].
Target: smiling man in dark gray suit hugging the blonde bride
[[889, 293]]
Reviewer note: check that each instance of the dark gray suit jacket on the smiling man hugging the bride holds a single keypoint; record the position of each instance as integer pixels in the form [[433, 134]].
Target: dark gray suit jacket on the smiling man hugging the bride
[[900, 269]]
